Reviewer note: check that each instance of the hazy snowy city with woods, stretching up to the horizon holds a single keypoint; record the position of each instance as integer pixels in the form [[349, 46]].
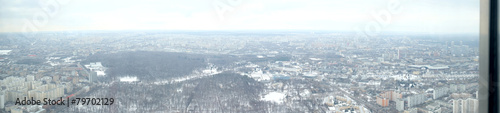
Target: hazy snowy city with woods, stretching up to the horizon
[[241, 71]]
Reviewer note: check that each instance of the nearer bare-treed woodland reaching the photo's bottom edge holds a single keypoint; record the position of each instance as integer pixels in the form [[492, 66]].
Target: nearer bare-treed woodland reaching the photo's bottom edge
[[224, 92]]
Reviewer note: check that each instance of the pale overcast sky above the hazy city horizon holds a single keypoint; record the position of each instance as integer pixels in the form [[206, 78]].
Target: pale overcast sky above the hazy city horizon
[[441, 16]]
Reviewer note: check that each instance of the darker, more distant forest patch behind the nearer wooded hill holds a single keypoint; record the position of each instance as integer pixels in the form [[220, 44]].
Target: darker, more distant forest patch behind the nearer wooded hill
[[149, 65]]
